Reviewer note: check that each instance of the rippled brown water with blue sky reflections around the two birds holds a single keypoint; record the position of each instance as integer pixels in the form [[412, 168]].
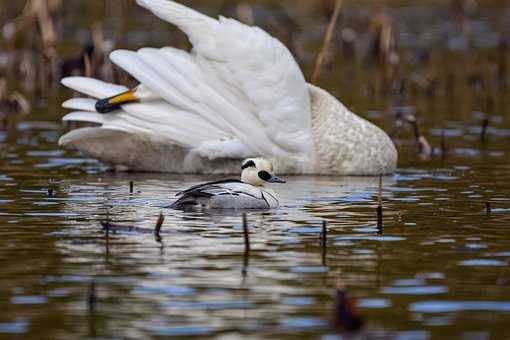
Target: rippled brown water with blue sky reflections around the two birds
[[440, 267]]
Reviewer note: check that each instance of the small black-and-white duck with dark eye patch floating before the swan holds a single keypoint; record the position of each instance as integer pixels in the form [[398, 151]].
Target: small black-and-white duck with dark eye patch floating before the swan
[[248, 193]]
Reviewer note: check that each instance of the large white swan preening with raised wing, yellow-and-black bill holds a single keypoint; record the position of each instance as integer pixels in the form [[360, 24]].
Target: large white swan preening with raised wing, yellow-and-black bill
[[239, 93]]
